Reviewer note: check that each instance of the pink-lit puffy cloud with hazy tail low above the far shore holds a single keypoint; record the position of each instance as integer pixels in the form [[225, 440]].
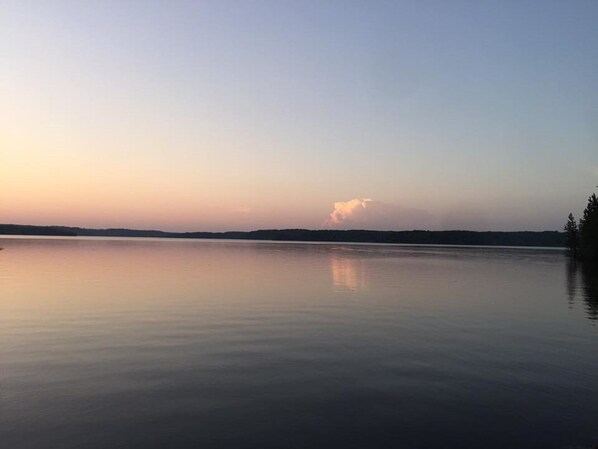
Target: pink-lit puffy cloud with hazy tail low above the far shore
[[366, 213]]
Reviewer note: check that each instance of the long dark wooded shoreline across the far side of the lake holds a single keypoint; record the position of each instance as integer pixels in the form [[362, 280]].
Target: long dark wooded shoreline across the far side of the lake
[[478, 238]]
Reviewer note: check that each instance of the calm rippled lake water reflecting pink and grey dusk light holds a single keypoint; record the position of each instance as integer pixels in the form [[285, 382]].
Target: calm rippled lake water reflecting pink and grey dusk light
[[228, 344]]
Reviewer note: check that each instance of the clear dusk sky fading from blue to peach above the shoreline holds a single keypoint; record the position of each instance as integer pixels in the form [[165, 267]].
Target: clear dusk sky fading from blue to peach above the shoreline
[[241, 115]]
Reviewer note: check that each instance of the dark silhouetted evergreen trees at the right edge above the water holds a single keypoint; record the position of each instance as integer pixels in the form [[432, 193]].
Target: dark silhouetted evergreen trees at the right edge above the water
[[582, 236]]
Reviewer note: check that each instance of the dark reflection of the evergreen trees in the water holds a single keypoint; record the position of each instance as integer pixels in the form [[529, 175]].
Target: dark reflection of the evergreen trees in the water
[[589, 286]]
